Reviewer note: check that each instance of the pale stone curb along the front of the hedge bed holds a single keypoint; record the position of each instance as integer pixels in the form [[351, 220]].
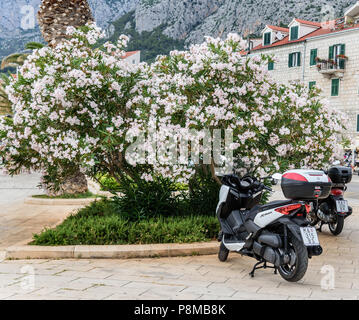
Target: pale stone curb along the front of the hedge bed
[[112, 252]]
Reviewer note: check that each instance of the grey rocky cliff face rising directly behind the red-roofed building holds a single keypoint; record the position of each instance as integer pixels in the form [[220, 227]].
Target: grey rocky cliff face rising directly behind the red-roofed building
[[191, 20]]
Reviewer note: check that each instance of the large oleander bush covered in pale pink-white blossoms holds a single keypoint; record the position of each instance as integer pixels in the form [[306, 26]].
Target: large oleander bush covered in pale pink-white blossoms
[[80, 105]]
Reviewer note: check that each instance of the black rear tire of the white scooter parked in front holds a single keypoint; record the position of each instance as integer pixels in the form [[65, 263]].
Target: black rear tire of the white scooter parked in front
[[301, 263]]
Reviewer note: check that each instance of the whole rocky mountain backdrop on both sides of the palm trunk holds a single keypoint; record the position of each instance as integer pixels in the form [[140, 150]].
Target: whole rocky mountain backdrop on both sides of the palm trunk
[[187, 21]]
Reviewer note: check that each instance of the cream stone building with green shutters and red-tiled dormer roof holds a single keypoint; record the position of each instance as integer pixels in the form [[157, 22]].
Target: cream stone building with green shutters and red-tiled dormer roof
[[325, 55]]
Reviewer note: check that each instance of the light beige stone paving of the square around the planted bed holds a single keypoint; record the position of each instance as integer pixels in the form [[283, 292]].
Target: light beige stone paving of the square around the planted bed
[[202, 277]]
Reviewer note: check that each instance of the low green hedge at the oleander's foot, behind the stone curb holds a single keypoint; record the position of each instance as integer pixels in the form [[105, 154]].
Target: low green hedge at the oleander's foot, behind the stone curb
[[100, 224]]
